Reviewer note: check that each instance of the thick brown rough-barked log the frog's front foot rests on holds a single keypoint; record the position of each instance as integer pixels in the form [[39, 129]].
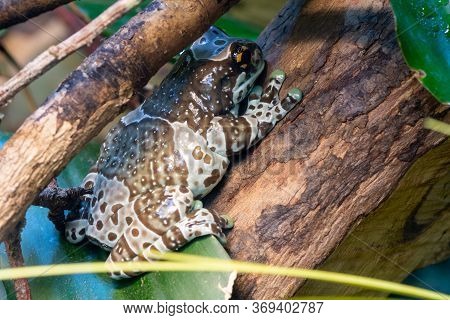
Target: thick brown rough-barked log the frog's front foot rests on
[[297, 195]]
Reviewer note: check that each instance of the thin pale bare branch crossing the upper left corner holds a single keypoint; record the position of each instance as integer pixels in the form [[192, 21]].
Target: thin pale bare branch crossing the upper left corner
[[54, 54]]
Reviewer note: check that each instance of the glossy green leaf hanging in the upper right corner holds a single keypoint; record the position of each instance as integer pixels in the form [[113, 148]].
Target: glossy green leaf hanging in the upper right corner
[[423, 30]]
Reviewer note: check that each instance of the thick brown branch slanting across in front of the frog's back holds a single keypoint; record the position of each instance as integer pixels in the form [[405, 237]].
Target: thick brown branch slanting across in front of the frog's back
[[93, 95]]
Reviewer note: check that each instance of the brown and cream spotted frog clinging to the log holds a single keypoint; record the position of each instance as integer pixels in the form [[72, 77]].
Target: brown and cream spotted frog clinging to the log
[[160, 160]]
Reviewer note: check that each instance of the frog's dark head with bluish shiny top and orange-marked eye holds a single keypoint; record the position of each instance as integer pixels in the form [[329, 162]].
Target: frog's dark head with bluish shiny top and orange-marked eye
[[223, 69]]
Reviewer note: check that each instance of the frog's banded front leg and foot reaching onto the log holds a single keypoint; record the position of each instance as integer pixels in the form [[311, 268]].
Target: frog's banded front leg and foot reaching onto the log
[[229, 134]]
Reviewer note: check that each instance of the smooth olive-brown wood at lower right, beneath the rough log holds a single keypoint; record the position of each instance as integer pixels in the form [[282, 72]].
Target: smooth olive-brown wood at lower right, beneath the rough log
[[408, 231]]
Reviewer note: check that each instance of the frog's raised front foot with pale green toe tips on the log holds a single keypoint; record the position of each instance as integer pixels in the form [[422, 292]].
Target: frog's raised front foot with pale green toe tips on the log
[[267, 107]]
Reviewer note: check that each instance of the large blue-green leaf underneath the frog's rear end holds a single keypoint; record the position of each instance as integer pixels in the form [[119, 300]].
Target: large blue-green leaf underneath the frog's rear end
[[43, 245]]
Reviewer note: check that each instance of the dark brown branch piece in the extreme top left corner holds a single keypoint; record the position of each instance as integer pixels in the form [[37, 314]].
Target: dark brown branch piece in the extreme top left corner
[[16, 11]]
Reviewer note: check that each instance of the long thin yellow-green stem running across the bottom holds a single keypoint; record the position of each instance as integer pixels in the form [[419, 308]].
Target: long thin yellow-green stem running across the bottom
[[183, 262]]
